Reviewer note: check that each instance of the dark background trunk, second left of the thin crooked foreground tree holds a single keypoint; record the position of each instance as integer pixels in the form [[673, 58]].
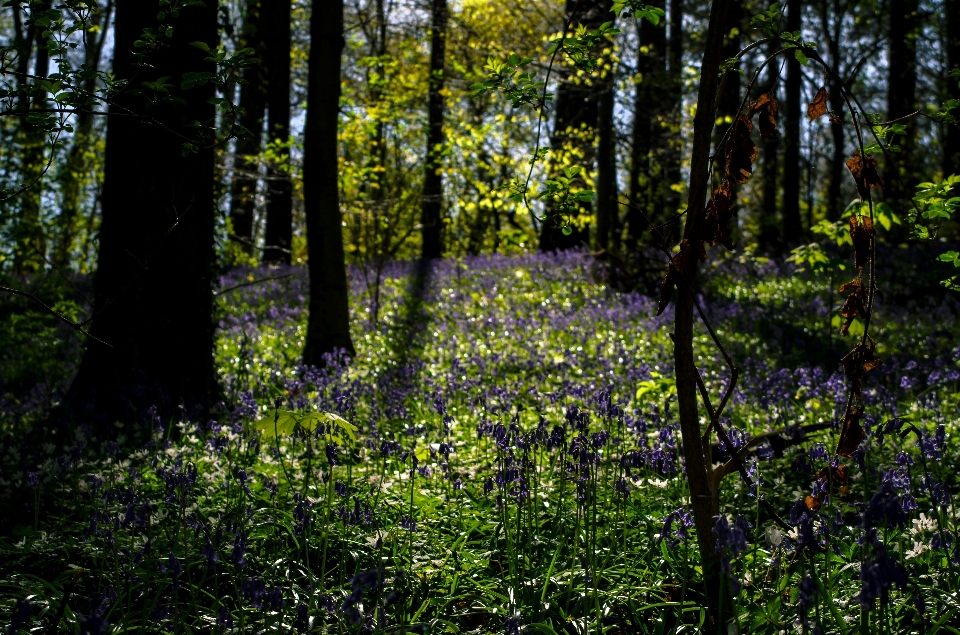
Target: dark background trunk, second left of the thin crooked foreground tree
[[649, 112]]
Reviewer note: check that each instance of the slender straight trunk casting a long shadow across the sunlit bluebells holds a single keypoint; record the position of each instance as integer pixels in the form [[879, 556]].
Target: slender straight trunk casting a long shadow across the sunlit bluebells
[[432, 206]]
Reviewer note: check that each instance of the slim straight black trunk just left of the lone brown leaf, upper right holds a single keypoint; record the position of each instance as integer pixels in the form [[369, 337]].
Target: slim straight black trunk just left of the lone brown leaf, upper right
[[792, 224]]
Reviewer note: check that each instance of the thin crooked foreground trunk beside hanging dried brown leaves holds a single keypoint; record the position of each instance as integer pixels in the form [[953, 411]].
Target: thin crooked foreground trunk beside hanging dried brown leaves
[[704, 501]]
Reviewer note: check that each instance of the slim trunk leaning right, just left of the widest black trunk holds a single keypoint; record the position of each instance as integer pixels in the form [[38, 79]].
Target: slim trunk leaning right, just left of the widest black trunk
[[79, 160]]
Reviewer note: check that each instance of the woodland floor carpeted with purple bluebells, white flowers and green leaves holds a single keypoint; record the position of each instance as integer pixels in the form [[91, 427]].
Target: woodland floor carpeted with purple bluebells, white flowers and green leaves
[[501, 455]]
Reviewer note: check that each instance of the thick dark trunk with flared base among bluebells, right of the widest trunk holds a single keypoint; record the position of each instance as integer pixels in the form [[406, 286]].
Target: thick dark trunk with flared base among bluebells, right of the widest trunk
[[328, 328]]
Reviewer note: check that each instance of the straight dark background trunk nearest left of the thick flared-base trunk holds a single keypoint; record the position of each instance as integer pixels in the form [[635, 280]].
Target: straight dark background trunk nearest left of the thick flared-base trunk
[[276, 19]]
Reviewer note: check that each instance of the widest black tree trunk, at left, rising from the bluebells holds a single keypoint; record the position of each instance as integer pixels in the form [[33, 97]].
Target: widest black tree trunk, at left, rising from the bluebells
[[153, 287]]
